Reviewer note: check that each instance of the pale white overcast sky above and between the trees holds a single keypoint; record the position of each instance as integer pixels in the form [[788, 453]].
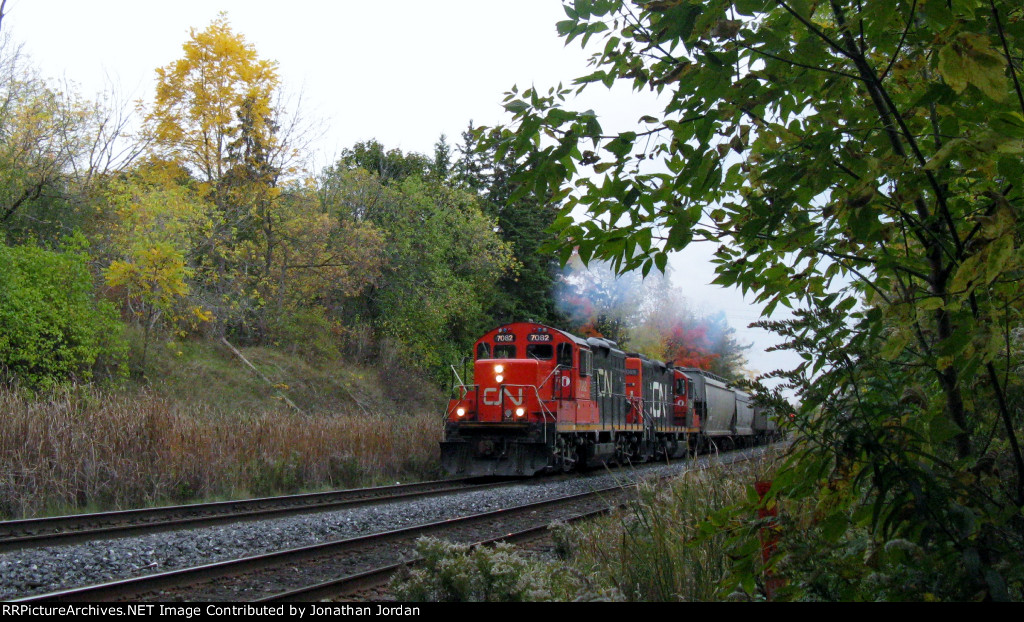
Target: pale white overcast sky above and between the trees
[[402, 72]]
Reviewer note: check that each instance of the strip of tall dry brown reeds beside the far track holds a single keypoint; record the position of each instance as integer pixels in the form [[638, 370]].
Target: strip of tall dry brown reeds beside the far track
[[86, 448]]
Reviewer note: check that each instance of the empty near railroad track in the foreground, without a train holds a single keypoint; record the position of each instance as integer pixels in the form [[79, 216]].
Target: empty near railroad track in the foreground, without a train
[[313, 572]]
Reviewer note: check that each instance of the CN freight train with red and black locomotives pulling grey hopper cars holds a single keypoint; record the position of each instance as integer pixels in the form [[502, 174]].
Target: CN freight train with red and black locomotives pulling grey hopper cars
[[545, 400]]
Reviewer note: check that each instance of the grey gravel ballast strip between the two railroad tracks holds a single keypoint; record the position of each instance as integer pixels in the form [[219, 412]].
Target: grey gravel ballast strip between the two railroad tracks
[[44, 570]]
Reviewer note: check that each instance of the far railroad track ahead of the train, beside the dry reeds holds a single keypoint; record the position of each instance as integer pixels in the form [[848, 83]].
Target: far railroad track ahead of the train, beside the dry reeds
[[55, 531]]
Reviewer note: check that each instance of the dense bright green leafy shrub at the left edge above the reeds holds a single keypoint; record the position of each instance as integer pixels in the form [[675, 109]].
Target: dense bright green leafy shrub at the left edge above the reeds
[[53, 327]]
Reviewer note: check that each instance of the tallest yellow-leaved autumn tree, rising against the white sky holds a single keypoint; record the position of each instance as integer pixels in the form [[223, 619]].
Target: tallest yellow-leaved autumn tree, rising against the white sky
[[214, 114]]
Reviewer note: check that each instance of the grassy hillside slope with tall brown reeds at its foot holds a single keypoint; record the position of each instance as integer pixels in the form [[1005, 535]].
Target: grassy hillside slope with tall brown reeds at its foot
[[201, 425]]
